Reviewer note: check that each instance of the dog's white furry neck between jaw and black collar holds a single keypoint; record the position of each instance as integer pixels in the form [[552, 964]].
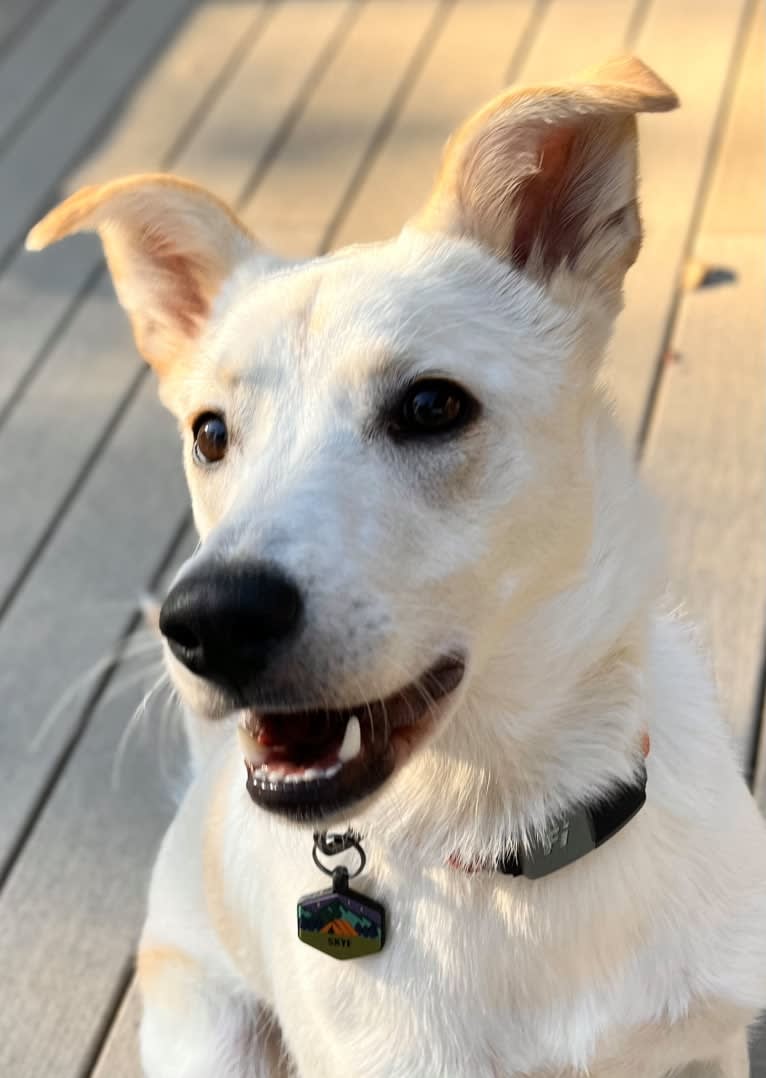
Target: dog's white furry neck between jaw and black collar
[[558, 714]]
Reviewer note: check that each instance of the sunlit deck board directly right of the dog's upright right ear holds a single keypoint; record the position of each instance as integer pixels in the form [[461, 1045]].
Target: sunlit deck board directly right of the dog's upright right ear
[[675, 157]]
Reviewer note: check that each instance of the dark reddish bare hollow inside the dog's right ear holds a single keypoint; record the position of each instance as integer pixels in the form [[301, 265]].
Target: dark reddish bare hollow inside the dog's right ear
[[544, 222]]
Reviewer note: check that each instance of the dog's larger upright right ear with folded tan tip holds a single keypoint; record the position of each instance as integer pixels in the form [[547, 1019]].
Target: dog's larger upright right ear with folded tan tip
[[547, 176]]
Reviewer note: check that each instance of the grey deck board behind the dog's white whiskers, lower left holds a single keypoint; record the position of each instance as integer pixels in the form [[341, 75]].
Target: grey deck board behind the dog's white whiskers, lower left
[[85, 953]]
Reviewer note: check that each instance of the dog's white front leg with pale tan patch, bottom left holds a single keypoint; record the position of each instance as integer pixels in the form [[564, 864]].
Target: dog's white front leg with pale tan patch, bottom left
[[197, 1028]]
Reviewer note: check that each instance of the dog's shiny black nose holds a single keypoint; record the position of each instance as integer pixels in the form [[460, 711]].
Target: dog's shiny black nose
[[225, 624]]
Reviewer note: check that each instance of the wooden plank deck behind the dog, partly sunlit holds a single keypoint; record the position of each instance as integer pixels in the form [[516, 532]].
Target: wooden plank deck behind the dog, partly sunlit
[[323, 122]]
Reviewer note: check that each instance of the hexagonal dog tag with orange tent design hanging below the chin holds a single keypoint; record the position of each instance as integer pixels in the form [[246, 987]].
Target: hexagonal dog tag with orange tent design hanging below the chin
[[341, 922]]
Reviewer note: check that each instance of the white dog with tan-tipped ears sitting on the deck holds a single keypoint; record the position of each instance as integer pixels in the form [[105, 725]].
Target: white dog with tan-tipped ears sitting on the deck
[[428, 615]]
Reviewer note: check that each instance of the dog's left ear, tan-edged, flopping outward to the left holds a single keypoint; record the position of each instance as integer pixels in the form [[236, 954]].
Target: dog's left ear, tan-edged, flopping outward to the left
[[170, 245]]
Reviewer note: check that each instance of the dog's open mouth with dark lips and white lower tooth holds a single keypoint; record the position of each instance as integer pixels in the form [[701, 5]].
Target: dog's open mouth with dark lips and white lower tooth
[[312, 764]]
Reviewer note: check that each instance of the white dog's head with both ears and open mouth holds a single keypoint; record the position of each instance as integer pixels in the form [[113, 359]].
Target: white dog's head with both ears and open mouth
[[386, 448]]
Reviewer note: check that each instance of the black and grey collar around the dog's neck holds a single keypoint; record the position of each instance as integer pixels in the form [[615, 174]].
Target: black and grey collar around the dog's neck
[[580, 832]]
